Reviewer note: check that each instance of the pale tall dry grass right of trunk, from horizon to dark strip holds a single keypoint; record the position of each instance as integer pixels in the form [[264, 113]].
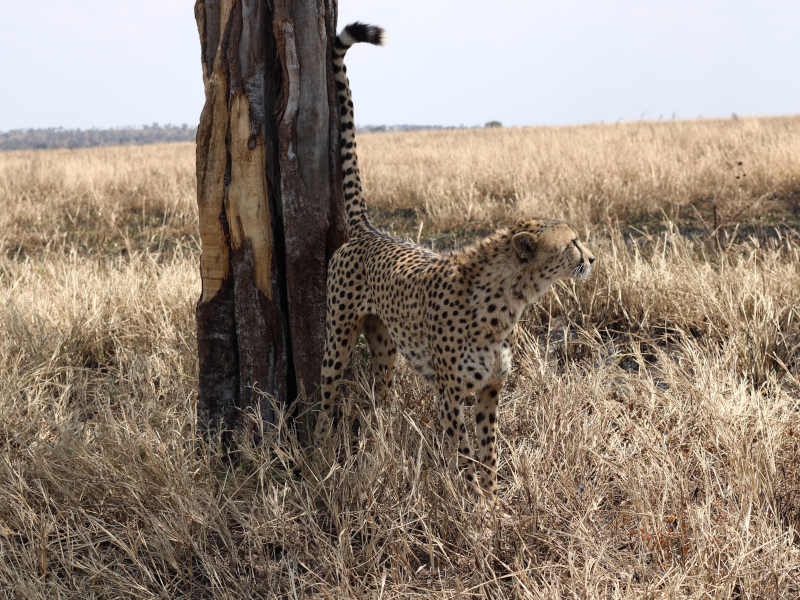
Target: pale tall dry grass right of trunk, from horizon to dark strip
[[587, 175]]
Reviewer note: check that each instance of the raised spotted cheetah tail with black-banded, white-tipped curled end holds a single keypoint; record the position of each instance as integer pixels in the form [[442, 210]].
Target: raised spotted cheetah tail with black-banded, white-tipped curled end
[[355, 205]]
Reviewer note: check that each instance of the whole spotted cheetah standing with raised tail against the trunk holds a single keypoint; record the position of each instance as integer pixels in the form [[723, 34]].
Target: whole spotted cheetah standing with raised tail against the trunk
[[449, 315]]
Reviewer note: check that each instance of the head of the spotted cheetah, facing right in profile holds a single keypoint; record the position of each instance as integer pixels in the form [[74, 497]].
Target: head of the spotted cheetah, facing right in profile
[[549, 251]]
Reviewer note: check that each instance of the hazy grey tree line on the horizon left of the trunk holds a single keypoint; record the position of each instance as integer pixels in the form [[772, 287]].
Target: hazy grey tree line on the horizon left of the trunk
[[58, 137]]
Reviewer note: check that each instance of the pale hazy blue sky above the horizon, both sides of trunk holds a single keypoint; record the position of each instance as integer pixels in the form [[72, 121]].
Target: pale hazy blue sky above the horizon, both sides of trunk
[[102, 63]]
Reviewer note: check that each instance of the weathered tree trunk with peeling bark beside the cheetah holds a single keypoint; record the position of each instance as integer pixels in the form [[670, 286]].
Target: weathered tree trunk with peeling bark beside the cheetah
[[269, 197]]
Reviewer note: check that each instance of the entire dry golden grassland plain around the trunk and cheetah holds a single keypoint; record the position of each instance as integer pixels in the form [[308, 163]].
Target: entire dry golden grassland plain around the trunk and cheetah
[[650, 431]]
